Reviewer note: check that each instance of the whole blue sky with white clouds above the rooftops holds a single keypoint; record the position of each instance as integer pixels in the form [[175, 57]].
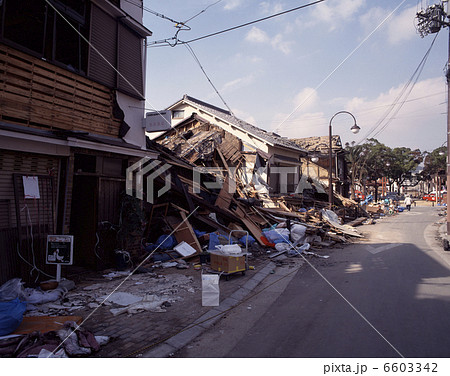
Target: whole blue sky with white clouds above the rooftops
[[292, 73]]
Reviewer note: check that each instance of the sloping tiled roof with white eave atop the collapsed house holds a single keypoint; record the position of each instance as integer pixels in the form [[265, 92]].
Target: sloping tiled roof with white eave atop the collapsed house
[[227, 116]]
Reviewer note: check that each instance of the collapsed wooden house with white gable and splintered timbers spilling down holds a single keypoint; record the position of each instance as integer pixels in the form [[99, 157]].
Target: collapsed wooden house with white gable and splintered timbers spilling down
[[239, 187]]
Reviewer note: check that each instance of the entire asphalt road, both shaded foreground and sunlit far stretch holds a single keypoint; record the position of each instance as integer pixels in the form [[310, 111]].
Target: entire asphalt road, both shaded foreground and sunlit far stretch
[[387, 296]]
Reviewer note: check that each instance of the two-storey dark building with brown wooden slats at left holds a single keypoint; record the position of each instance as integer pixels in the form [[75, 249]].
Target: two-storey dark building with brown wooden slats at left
[[72, 84]]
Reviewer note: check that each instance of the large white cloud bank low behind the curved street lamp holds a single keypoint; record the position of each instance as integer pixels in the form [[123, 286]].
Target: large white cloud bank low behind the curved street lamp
[[422, 114]]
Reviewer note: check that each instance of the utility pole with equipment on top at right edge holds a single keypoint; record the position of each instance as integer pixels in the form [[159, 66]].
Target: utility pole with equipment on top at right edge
[[430, 21]]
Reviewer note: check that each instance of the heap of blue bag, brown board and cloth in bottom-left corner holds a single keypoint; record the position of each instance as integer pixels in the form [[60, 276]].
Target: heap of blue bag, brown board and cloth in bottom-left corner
[[47, 336]]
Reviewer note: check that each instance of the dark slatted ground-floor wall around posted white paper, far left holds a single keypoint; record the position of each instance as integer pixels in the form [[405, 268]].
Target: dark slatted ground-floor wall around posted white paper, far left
[[30, 219]]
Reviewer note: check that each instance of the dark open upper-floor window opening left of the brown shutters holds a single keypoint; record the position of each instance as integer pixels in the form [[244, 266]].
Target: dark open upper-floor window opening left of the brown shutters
[[35, 26]]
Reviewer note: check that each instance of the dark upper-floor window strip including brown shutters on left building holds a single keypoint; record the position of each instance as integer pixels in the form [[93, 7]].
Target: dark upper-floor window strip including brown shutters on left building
[[34, 26]]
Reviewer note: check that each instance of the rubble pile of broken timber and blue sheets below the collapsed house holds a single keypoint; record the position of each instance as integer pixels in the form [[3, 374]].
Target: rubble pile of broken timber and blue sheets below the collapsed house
[[195, 216]]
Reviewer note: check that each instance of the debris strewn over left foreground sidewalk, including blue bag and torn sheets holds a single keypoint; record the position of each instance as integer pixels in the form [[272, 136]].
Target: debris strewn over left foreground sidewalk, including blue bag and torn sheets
[[34, 322]]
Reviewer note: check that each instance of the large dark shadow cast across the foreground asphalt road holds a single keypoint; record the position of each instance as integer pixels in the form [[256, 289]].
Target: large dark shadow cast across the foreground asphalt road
[[401, 290]]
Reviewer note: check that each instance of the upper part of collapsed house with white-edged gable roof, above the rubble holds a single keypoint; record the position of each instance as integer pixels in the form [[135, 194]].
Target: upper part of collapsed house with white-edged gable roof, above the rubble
[[199, 129]]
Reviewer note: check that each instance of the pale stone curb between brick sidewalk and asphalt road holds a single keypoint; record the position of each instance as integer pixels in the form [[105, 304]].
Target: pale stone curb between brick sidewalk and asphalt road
[[207, 320]]
